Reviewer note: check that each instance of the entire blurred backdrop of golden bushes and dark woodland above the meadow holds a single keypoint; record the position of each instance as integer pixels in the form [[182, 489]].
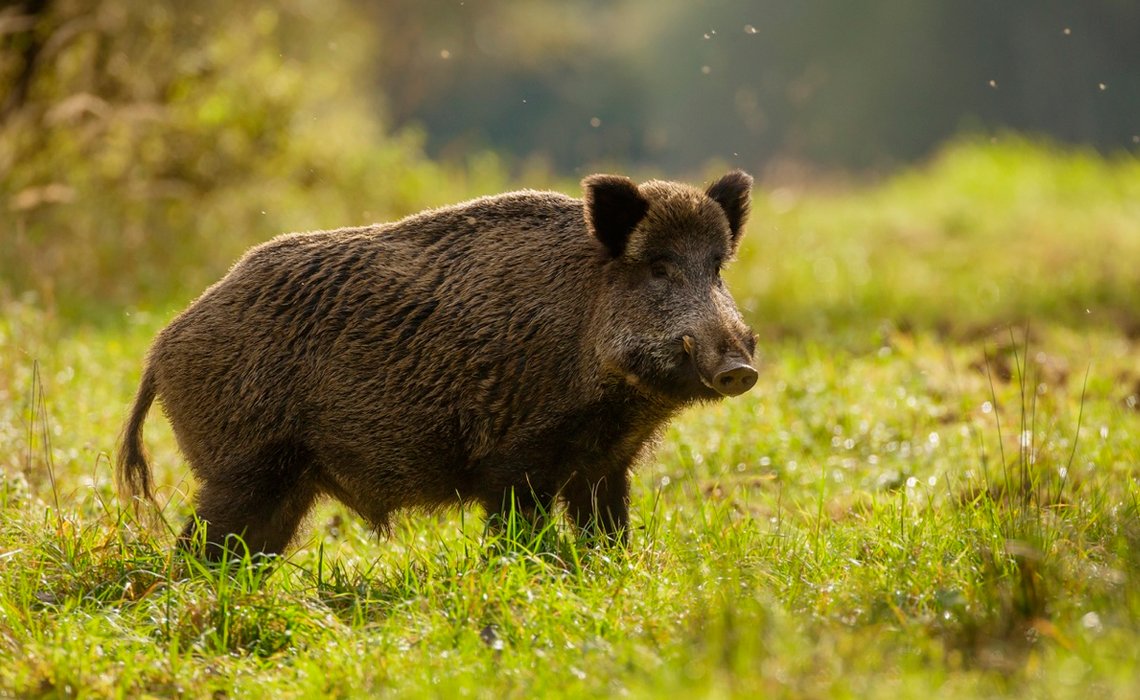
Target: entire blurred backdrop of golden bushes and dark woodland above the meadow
[[139, 139]]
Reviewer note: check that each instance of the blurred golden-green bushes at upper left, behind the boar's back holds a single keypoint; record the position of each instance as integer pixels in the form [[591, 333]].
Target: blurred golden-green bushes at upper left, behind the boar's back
[[143, 140]]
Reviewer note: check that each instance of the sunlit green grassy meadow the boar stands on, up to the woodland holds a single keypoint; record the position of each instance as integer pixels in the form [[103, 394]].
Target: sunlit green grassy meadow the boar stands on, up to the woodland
[[932, 492]]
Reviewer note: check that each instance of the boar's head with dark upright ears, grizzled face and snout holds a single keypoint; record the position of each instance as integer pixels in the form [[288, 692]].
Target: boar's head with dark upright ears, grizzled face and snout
[[669, 322]]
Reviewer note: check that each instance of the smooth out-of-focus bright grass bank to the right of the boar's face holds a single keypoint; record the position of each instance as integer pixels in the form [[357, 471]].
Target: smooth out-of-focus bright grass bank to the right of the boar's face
[[986, 235]]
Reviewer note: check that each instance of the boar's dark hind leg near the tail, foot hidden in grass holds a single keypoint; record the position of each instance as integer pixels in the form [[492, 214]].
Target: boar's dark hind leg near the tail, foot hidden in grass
[[263, 502]]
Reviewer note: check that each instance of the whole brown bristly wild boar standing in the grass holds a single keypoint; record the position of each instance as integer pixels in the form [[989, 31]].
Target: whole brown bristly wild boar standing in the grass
[[527, 344]]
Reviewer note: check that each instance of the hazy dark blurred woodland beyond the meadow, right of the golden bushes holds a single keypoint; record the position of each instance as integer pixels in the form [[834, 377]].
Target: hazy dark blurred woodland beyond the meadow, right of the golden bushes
[[673, 84]]
